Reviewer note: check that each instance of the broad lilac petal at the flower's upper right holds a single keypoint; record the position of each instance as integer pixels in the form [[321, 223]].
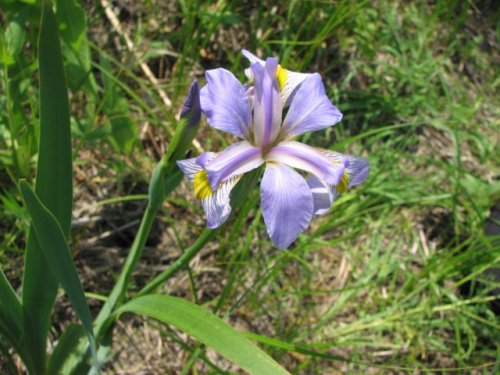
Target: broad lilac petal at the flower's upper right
[[310, 110]]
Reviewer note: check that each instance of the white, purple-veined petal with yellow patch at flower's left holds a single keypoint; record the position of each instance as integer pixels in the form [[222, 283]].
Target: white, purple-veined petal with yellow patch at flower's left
[[216, 203]]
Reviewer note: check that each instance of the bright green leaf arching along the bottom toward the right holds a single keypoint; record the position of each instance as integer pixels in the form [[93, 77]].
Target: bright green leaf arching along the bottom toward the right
[[207, 328]]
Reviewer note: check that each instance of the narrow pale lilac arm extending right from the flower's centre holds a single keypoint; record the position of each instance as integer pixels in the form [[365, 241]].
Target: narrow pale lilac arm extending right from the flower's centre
[[301, 156]]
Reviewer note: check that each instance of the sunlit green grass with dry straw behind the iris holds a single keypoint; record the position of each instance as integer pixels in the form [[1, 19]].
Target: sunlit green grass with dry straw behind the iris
[[392, 277]]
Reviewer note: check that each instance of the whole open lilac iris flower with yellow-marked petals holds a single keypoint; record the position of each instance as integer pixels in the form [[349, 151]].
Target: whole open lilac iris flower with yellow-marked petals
[[254, 114]]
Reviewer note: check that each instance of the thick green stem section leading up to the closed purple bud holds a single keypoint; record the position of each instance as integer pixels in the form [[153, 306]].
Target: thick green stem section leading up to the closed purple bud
[[118, 292]]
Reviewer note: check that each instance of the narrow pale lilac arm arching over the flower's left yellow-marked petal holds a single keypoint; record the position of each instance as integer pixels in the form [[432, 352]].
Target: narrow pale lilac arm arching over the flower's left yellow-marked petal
[[235, 160]]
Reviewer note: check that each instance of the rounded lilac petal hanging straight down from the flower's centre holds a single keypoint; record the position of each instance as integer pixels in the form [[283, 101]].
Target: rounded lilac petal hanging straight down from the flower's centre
[[287, 204]]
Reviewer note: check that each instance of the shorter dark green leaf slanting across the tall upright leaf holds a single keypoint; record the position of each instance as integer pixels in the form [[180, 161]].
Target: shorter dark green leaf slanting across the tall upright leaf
[[55, 249]]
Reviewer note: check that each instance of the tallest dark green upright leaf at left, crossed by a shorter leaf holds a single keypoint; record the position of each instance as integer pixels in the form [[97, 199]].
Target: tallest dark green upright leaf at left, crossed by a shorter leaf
[[53, 187]]
